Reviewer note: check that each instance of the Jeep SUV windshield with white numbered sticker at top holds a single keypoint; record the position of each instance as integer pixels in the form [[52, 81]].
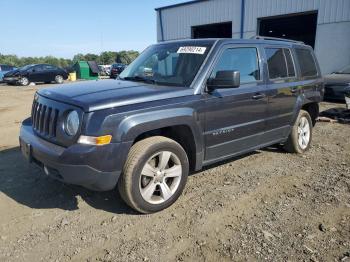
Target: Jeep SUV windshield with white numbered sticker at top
[[174, 64]]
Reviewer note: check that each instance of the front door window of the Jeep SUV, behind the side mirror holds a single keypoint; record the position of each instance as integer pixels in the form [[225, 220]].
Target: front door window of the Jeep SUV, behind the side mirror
[[242, 59]]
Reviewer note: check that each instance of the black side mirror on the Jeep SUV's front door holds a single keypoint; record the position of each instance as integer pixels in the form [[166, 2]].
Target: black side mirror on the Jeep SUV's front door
[[224, 79]]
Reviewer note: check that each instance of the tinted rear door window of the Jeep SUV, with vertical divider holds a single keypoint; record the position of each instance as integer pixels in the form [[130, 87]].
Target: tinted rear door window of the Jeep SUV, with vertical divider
[[280, 63]]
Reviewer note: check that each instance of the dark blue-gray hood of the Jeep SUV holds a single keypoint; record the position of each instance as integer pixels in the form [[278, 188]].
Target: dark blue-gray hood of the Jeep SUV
[[103, 94]]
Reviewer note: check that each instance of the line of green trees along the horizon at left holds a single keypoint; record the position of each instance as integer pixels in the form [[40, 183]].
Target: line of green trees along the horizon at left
[[106, 58]]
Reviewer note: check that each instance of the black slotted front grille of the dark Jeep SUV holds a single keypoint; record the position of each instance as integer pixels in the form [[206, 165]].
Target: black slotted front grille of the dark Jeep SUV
[[44, 119]]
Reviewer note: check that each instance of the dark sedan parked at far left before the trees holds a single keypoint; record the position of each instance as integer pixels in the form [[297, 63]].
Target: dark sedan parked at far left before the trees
[[36, 73]]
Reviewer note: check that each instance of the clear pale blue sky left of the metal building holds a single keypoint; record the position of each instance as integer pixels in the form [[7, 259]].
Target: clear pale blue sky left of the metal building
[[67, 27]]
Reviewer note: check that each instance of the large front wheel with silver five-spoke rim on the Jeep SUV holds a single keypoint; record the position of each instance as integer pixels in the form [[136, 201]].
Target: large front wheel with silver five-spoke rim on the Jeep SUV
[[154, 174]]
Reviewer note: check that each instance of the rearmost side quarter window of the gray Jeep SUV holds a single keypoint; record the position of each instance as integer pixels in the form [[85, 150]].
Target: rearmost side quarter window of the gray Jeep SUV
[[306, 62]]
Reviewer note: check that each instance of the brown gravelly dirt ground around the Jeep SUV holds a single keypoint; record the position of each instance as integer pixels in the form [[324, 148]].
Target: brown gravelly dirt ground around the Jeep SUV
[[267, 205]]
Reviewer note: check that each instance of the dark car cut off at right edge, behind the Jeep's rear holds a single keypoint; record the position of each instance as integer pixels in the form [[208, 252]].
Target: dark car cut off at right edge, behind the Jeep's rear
[[337, 84]]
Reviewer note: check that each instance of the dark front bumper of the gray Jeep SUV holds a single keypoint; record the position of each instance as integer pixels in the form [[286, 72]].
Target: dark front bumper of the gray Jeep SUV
[[94, 167]]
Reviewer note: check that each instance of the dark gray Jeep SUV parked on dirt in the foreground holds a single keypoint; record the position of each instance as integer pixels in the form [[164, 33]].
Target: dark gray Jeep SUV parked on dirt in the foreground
[[179, 106]]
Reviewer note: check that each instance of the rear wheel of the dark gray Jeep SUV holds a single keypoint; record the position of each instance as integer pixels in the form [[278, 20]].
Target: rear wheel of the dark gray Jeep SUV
[[300, 138]]
